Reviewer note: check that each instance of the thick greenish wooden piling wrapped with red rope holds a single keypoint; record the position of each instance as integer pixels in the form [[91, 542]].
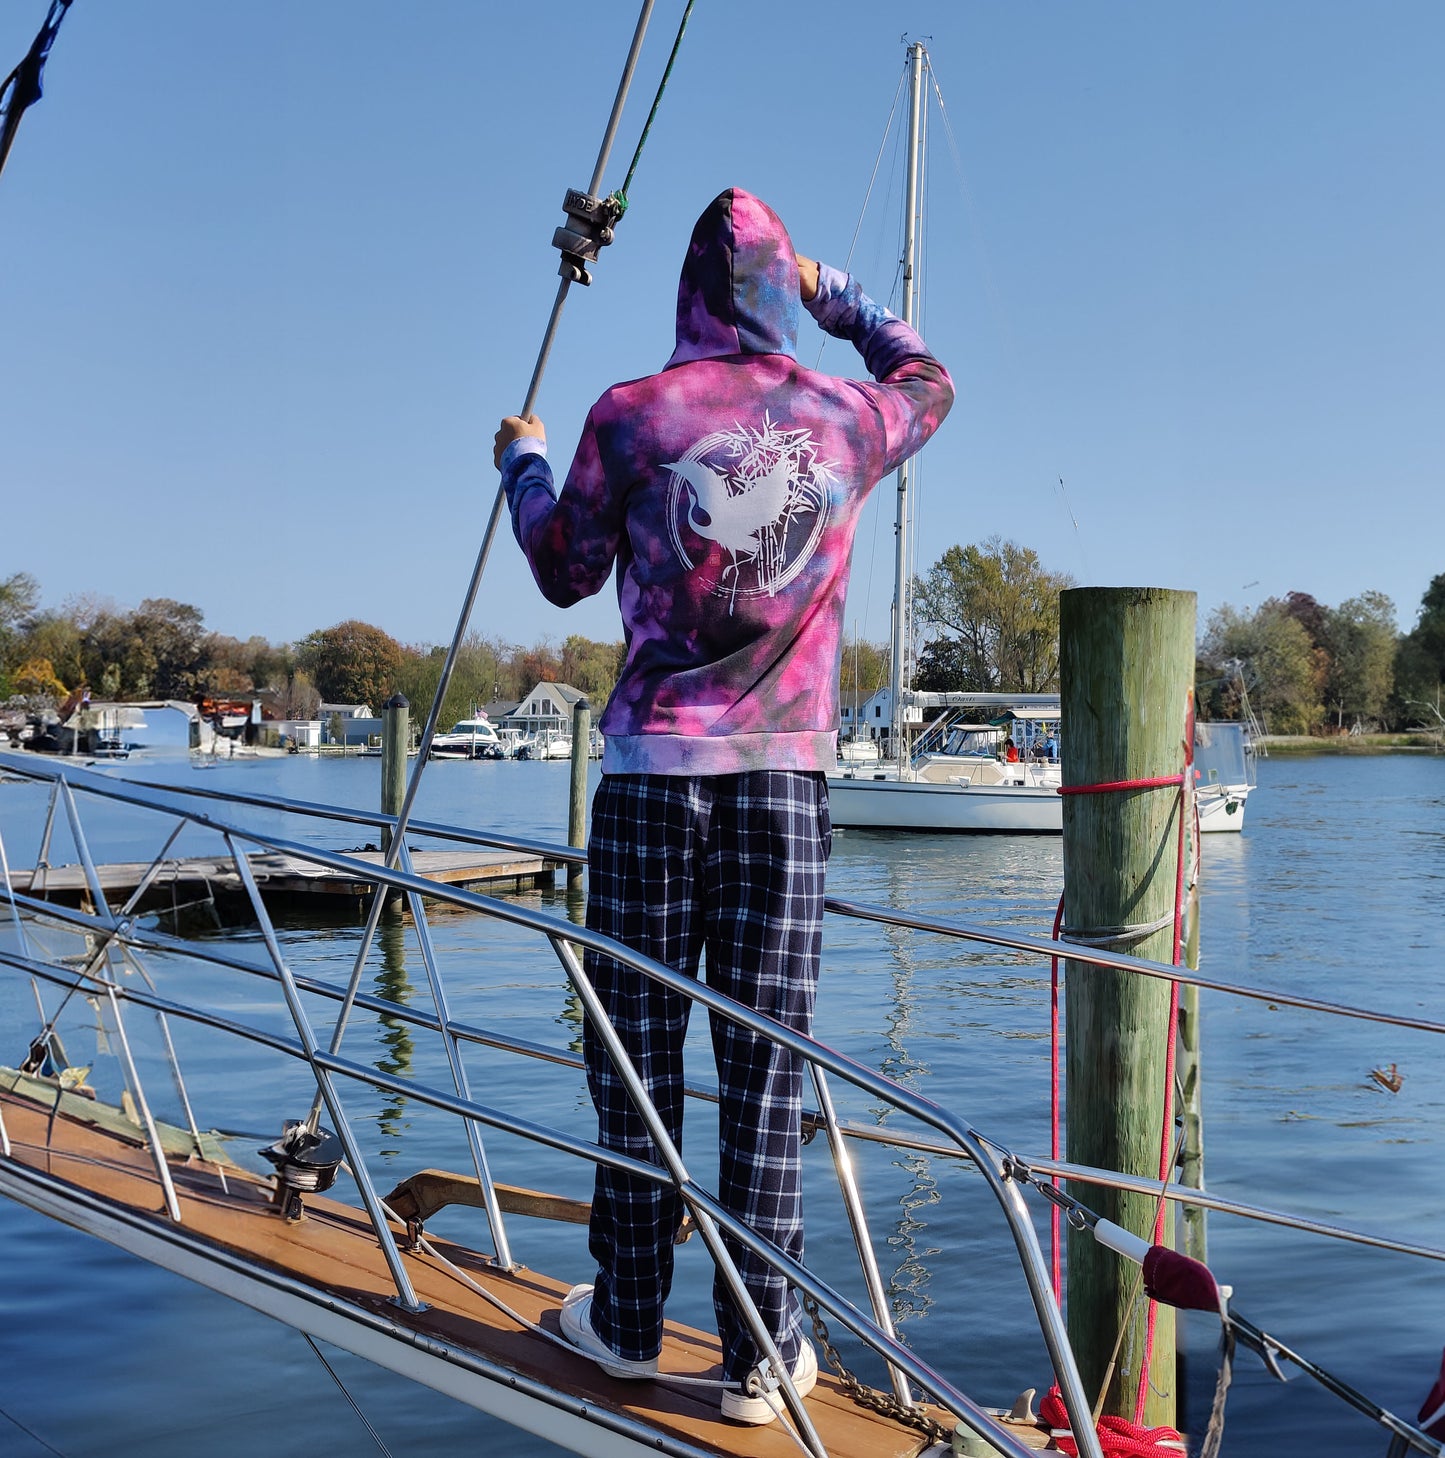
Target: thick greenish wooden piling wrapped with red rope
[[1126, 670]]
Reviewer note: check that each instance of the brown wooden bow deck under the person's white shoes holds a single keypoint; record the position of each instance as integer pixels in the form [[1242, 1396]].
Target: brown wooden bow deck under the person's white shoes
[[333, 1250]]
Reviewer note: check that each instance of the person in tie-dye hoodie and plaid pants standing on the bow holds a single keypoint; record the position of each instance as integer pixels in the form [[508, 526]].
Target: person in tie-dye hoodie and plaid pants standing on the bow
[[725, 491]]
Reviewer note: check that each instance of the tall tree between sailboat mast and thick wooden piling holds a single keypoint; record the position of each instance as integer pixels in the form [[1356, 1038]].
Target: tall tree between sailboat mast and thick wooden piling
[[1001, 607]]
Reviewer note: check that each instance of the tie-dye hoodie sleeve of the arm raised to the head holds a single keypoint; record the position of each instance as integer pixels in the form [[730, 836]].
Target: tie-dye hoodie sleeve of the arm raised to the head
[[914, 393]]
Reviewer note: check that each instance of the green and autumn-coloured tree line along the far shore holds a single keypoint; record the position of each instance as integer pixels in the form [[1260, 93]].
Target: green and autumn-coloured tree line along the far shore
[[986, 619]]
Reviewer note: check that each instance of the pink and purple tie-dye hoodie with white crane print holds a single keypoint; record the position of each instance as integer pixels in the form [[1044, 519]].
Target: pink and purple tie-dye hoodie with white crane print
[[727, 491]]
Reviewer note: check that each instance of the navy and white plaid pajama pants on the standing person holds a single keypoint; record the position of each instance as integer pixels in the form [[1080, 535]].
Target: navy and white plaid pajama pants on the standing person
[[733, 867]]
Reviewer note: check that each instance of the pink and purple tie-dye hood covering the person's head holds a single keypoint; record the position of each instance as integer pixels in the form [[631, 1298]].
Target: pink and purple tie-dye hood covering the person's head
[[739, 294]]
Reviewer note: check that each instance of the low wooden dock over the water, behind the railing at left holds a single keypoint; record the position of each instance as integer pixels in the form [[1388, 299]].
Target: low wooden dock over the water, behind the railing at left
[[281, 878]]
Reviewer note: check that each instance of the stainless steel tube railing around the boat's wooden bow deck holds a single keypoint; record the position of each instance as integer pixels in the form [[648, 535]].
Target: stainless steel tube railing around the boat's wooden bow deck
[[950, 1135]]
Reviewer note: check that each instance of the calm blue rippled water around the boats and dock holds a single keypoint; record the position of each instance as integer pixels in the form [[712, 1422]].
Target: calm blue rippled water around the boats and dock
[[1335, 889]]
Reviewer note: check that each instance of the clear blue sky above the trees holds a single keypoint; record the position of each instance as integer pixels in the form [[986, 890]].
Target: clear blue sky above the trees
[[270, 275]]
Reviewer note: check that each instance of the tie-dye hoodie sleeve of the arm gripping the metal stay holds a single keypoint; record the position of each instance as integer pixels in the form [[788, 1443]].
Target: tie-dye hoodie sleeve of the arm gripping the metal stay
[[571, 540]]
